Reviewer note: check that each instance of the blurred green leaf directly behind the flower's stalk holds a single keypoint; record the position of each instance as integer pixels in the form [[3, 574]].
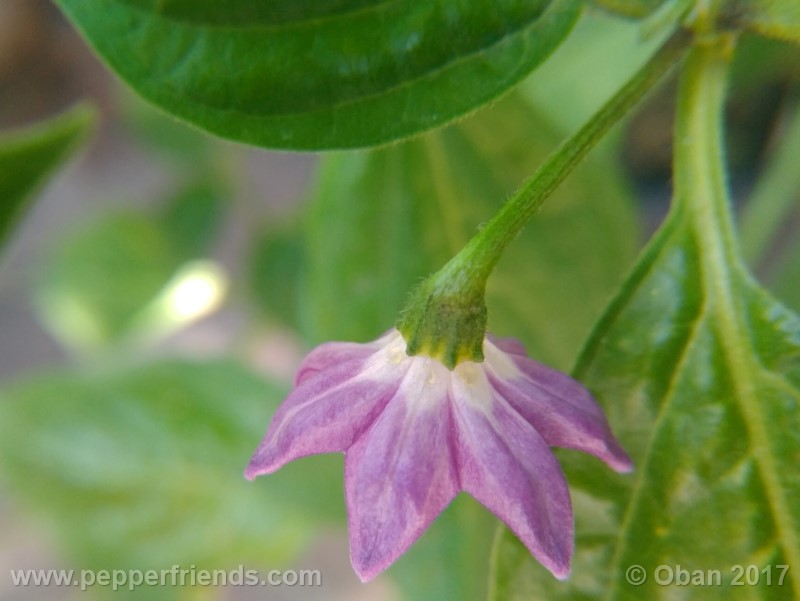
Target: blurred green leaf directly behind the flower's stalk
[[382, 220]]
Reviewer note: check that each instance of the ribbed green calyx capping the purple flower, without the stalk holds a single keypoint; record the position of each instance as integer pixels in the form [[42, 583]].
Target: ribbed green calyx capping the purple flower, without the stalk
[[445, 317]]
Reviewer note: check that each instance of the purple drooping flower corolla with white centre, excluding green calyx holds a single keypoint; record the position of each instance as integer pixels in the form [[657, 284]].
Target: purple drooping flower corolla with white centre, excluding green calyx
[[415, 434]]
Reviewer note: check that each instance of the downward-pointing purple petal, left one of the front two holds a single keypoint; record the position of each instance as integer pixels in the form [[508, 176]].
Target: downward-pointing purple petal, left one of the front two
[[401, 474]]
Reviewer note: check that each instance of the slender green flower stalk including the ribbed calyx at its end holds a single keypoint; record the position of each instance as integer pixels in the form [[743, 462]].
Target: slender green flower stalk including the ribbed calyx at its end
[[445, 316]]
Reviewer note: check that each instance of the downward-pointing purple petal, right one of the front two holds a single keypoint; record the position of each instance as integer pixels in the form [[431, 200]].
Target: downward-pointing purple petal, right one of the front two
[[509, 468]]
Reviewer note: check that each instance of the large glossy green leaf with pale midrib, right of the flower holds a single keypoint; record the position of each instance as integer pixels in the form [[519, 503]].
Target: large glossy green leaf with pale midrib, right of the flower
[[699, 371]]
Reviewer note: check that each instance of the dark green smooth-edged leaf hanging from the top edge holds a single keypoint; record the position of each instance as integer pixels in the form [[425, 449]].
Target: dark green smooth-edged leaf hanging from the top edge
[[319, 74]]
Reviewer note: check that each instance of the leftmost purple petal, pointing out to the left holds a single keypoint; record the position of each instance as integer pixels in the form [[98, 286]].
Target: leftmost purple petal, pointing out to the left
[[328, 411]]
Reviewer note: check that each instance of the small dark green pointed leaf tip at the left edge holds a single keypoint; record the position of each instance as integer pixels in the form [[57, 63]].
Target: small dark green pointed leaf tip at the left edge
[[28, 156]]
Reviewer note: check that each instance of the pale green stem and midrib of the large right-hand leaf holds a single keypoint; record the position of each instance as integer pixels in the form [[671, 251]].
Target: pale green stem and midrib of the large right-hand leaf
[[721, 276]]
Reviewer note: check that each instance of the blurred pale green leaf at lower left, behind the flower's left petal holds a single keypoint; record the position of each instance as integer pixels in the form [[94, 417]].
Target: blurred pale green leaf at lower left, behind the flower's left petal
[[143, 467]]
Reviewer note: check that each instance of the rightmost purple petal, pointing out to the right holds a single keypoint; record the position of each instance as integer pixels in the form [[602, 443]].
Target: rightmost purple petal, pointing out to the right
[[561, 410]]
